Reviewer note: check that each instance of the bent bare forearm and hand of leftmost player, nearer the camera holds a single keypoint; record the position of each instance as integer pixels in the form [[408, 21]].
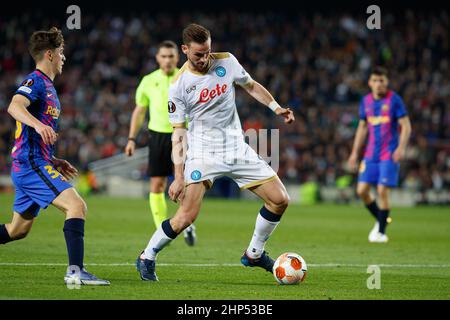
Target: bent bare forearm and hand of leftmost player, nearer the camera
[[18, 110]]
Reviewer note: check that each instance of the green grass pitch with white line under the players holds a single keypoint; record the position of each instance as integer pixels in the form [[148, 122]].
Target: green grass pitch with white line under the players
[[415, 264]]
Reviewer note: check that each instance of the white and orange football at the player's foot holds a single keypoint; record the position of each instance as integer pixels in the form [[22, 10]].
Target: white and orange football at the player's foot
[[289, 268]]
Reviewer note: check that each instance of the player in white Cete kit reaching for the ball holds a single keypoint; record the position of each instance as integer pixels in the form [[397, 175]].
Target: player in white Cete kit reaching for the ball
[[203, 92]]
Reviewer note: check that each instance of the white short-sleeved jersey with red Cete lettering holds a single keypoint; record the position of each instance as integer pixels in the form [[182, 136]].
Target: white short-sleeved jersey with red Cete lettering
[[207, 101]]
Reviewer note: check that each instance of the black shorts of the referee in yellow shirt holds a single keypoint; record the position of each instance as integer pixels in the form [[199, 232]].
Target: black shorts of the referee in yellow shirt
[[159, 157]]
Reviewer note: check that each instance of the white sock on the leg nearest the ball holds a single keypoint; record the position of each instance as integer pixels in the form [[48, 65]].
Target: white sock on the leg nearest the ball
[[263, 230]]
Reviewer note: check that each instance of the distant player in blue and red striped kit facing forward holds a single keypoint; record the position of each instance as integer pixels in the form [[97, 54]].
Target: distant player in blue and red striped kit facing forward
[[382, 114]]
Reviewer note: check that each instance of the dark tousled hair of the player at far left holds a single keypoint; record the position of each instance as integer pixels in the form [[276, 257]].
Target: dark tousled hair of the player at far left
[[40, 41]]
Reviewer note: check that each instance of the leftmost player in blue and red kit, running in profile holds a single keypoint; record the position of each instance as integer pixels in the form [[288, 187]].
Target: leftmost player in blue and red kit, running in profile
[[40, 179]]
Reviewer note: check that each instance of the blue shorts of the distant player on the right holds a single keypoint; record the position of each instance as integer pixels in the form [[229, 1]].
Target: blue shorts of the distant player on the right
[[382, 172]]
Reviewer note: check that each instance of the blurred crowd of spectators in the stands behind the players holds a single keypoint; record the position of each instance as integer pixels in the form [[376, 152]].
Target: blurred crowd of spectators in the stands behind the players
[[317, 64]]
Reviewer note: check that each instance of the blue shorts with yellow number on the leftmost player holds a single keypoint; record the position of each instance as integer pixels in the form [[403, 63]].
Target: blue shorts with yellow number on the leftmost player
[[36, 185]]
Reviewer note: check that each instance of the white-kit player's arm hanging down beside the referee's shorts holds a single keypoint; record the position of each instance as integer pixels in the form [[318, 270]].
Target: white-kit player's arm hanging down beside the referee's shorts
[[179, 148]]
